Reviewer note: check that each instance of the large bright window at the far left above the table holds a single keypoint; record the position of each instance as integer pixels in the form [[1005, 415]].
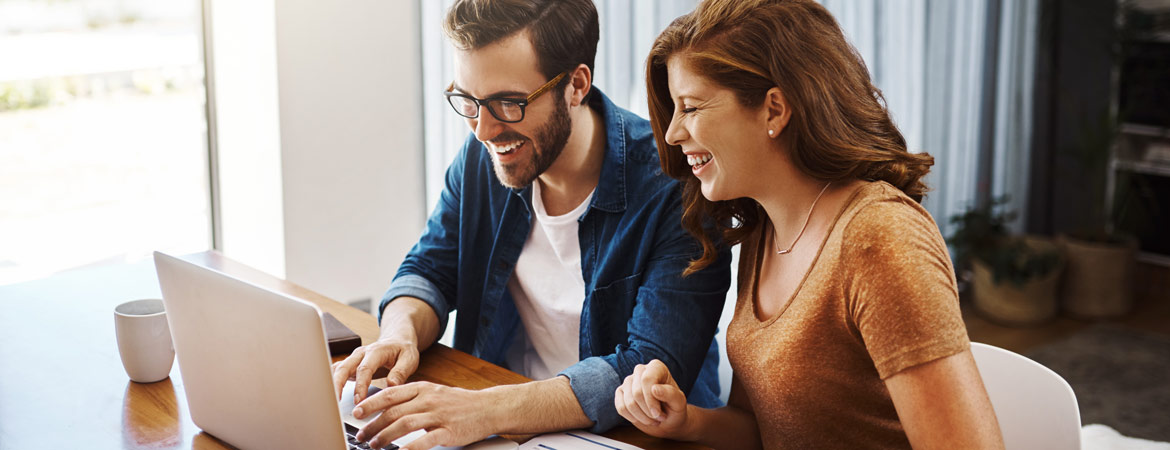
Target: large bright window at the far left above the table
[[104, 134]]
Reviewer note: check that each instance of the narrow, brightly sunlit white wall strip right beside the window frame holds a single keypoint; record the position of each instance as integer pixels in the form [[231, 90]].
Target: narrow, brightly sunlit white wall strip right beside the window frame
[[244, 81]]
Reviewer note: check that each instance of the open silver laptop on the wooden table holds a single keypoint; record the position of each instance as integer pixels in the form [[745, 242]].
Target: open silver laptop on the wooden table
[[256, 365]]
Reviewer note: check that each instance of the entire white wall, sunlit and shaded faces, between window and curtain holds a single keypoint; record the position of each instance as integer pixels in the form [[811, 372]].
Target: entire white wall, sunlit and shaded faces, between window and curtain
[[321, 140]]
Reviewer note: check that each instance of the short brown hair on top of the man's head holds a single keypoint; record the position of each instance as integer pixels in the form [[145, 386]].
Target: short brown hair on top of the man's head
[[565, 33]]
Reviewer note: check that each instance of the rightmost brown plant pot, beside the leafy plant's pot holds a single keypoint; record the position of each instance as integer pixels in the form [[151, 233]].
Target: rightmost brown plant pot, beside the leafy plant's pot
[[1099, 279]]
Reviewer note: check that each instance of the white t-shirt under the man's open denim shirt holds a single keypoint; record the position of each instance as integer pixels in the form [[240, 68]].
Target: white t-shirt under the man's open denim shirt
[[549, 292]]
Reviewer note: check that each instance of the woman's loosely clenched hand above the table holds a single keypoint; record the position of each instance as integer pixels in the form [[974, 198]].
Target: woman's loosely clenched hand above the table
[[652, 401]]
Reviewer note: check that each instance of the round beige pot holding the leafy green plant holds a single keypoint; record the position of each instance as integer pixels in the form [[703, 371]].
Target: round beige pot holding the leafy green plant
[[1033, 303]]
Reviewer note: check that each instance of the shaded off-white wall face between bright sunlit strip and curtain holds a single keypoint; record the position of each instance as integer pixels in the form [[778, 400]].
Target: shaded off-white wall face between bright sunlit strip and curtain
[[352, 135]]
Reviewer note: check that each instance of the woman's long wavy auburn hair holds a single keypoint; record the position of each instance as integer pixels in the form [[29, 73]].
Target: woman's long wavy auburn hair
[[839, 128]]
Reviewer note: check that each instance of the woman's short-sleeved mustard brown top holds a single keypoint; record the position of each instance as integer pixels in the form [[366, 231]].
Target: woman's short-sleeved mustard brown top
[[879, 297]]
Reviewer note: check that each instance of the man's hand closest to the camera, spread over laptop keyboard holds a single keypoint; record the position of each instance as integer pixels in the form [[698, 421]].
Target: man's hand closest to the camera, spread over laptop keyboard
[[451, 417]]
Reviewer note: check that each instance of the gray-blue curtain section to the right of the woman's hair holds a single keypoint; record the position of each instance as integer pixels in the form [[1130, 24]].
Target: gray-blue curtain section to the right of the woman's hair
[[958, 78]]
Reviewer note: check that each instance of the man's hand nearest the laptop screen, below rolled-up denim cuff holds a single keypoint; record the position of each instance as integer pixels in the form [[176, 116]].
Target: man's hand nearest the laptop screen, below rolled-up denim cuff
[[400, 356]]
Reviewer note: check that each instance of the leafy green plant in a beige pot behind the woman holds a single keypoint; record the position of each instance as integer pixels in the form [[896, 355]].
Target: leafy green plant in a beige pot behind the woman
[[1015, 279]]
